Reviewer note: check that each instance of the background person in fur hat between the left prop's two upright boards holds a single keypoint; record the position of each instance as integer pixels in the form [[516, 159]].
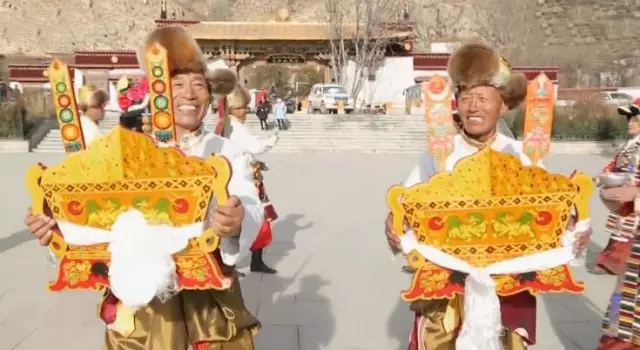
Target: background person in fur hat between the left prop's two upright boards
[[91, 104]]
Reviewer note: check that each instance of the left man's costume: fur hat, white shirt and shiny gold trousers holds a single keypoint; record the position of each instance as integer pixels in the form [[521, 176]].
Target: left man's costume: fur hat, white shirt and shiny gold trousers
[[203, 319]]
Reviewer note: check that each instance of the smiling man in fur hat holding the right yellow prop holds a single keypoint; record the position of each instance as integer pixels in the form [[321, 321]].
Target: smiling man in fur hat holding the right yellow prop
[[485, 88]]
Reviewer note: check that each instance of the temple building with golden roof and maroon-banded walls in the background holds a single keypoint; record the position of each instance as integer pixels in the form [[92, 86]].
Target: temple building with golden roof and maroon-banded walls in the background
[[249, 47]]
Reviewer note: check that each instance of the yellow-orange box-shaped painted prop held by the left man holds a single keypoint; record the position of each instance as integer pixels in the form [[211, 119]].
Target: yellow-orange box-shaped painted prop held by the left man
[[121, 171]]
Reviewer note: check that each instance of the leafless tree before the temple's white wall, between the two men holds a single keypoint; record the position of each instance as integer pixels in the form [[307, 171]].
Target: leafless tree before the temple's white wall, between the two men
[[358, 32]]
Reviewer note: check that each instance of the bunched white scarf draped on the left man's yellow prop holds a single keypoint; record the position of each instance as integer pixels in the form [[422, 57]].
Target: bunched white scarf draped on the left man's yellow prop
[[142, 265]]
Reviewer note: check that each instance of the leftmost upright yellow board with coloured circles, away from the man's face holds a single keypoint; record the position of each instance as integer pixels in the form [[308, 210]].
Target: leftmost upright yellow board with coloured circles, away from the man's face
[[64, 100]]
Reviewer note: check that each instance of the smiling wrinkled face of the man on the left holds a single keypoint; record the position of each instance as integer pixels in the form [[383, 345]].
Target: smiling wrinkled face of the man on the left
[[191, 99]]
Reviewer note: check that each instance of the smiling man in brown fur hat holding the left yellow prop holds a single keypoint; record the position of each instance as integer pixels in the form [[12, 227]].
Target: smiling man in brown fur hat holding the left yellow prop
[[203, 319]]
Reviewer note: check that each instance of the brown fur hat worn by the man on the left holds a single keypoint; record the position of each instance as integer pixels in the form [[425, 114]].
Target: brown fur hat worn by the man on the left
[[185, 56]]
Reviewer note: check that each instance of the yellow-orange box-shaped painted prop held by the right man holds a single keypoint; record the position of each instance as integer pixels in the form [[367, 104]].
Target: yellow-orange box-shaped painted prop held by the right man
[[491, 208]]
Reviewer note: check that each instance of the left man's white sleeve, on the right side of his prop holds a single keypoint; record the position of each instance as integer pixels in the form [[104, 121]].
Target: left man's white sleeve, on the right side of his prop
[[243, 187]]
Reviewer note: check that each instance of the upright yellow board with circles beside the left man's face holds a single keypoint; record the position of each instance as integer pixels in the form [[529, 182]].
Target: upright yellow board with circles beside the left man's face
[[158, 70]]
